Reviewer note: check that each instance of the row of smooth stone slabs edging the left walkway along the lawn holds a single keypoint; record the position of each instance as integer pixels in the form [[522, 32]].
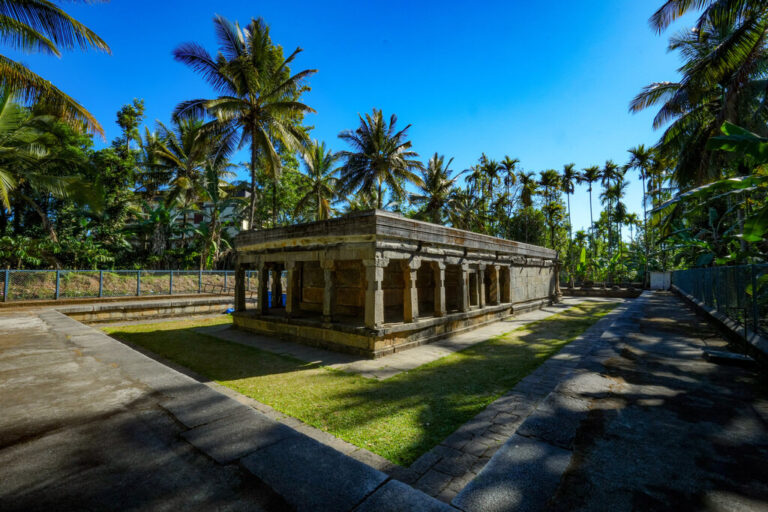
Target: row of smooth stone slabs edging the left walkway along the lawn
[[308, 474]]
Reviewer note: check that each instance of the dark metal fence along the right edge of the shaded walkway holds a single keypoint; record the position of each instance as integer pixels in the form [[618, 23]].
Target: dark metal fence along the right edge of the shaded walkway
[[739, 292]]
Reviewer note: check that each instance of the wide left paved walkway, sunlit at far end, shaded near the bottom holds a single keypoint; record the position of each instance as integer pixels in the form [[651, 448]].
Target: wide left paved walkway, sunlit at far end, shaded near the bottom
[[87, 423]]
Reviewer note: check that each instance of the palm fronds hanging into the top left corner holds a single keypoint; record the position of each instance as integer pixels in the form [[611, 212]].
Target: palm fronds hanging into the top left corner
[[40, 26]]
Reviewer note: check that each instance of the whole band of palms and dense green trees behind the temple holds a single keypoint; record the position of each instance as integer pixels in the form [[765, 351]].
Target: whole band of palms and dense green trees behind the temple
[[163, 195]]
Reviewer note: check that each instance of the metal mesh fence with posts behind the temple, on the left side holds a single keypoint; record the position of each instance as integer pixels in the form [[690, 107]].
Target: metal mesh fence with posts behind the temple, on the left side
[[67, 284]]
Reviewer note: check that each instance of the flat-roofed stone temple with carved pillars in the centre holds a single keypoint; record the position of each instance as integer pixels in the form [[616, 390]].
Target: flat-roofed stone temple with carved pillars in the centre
[[373, 283]]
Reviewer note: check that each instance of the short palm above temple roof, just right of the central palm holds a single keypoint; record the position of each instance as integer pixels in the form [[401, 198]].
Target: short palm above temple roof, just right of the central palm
[[434, 195]]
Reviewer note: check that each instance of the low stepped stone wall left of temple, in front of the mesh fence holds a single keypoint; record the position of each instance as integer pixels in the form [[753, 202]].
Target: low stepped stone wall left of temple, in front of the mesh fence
[[146, 309]]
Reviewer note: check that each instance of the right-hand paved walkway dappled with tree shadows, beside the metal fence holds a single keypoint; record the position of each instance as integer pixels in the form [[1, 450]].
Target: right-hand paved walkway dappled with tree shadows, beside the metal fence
[[642, 423]]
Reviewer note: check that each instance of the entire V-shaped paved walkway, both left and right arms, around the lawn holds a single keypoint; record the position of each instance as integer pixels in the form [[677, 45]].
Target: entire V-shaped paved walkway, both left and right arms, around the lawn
[[627, 417]]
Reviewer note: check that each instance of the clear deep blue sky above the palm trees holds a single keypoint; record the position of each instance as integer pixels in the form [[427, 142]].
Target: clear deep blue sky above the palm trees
[[546, 83]]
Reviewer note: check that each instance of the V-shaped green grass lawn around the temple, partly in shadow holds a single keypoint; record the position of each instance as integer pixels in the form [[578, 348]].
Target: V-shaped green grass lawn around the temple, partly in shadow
[[399, 418]]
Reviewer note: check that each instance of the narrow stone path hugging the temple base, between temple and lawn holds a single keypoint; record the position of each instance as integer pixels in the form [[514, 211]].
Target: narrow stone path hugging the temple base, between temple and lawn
[[391, 365]]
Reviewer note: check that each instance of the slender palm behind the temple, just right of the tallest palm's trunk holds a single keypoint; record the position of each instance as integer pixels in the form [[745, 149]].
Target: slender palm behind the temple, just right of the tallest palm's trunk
[[320, 176]]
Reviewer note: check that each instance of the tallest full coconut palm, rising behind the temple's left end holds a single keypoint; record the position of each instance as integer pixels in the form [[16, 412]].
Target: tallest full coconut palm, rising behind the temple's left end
[[258, 106]]
